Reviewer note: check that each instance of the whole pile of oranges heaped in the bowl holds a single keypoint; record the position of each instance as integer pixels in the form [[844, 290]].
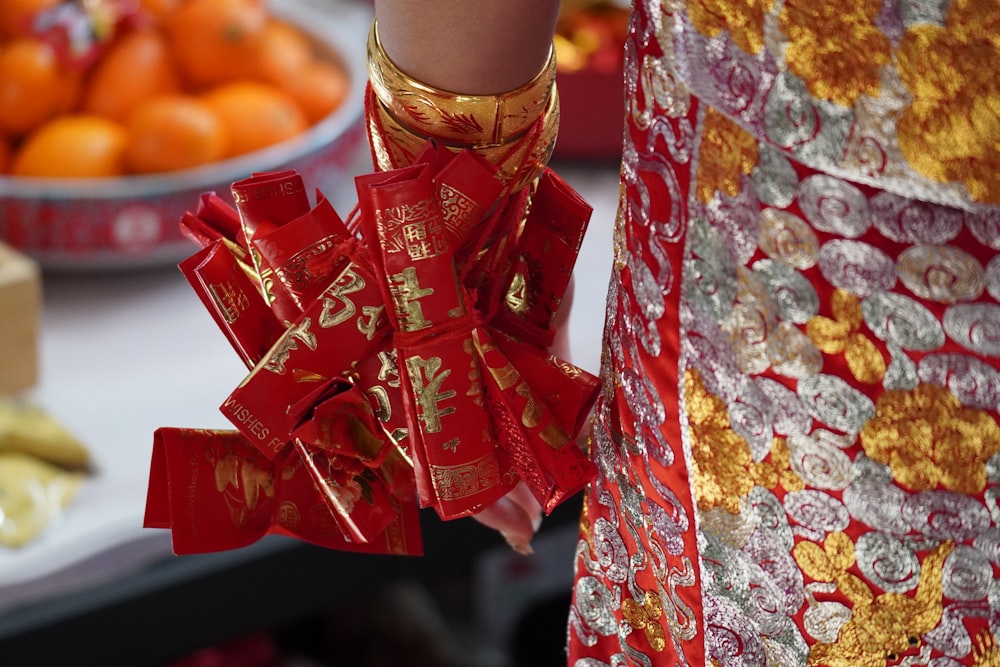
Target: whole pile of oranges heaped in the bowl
[[182, 83]]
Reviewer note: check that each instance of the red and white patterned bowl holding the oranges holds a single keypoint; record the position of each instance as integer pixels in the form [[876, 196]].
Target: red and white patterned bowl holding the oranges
[[132, 221]]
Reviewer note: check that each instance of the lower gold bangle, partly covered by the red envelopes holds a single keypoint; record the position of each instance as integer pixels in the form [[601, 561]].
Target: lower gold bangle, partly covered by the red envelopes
[[519, 161]]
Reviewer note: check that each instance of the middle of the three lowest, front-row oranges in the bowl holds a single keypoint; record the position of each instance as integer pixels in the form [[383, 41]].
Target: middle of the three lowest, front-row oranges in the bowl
[[172, 132]]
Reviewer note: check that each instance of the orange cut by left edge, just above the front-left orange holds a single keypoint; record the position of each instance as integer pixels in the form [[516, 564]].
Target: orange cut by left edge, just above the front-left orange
[[34, 87]]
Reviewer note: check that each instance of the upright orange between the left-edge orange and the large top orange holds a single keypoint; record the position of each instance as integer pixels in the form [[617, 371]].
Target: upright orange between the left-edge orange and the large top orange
[[137, 66]]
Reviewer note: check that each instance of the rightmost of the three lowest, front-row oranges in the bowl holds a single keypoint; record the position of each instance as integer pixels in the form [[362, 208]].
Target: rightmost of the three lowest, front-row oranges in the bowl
[[255, 115]]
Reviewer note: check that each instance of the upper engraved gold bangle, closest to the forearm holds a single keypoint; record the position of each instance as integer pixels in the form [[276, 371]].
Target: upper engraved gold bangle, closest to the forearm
[[468, 120]]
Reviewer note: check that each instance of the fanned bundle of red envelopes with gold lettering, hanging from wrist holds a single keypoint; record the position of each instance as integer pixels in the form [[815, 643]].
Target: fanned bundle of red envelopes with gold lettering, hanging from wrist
[[397, 359]]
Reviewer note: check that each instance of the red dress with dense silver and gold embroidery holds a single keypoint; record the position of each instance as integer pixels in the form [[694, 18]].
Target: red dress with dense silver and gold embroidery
[[798, 435]]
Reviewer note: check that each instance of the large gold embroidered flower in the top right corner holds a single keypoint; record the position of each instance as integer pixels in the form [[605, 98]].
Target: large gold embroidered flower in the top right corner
[[951, 131]]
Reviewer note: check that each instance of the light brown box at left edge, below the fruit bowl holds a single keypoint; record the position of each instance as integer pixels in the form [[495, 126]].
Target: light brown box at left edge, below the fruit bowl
[[20, 320]]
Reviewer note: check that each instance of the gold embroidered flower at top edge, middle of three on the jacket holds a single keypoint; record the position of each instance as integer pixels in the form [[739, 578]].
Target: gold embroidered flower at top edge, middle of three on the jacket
[[835, 47]]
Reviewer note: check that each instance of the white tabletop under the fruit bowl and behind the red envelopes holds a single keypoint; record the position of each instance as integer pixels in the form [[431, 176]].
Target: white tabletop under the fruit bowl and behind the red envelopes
[[123, 353]]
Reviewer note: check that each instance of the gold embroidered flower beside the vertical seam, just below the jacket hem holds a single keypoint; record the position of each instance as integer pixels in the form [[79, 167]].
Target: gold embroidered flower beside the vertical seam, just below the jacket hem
[[727, 153]]
